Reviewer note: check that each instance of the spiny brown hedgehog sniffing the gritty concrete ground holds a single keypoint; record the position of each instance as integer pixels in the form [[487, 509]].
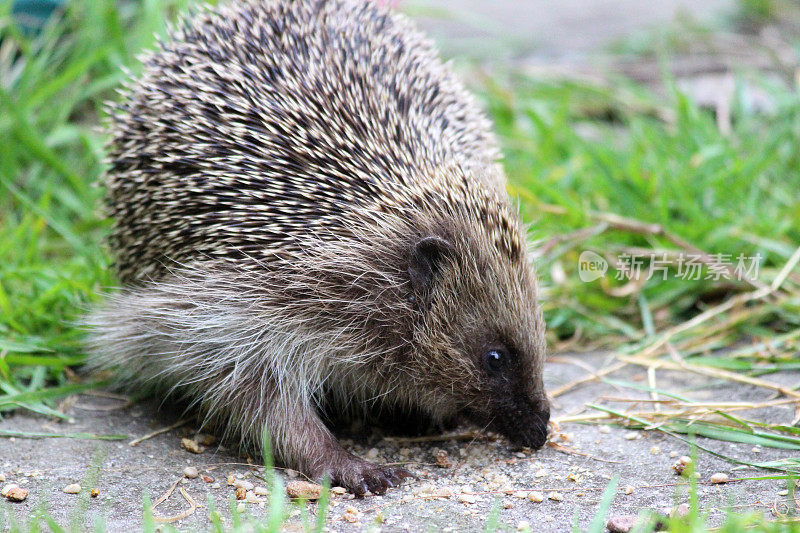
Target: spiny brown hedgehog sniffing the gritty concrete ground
[[310, 216]]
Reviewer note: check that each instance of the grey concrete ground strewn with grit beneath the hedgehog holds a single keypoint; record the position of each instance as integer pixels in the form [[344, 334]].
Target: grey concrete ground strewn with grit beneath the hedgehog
[[488, 472]]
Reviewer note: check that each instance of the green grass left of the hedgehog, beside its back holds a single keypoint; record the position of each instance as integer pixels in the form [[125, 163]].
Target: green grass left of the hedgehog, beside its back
[[52, 88]]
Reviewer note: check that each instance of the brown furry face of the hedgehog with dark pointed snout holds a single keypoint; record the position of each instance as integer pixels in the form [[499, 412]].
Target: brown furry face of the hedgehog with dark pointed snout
[[480, 298]]
